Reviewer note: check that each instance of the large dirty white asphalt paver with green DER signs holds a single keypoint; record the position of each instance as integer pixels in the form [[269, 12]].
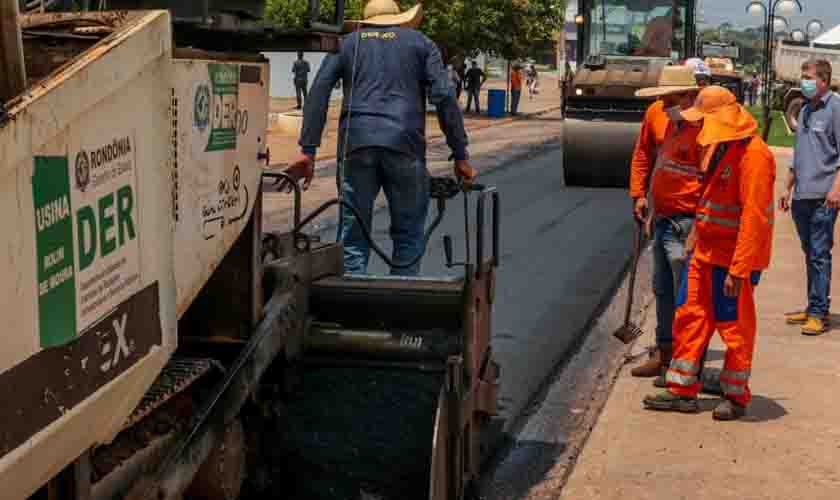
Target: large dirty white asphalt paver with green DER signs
[[160, 343]]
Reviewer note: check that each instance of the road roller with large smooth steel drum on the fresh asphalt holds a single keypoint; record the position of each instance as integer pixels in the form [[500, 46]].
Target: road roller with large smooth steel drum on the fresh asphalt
[[622, 46]]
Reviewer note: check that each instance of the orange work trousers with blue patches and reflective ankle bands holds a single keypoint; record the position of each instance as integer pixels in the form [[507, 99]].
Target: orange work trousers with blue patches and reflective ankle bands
[[703, 308]]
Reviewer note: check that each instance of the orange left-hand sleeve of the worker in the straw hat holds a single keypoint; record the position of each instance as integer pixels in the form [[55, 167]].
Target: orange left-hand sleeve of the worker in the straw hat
[[651, 136]]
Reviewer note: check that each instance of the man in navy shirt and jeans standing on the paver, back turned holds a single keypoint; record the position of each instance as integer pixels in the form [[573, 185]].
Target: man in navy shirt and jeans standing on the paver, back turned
[[388, 69]]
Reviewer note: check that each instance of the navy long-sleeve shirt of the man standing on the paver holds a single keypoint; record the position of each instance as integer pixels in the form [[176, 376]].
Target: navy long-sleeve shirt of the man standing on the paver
[[396, 69]]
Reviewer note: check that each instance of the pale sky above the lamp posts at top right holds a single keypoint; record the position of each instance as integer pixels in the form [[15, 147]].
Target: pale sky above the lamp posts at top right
[[715, 12]]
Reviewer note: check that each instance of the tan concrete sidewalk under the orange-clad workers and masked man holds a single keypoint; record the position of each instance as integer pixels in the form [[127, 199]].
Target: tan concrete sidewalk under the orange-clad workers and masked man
[[788, 445]]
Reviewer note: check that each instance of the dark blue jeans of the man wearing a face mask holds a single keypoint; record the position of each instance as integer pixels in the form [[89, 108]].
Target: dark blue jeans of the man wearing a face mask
[[815, 225]]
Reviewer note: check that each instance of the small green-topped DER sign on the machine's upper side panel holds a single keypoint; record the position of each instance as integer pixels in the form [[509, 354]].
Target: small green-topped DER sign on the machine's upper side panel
[[224, 82]]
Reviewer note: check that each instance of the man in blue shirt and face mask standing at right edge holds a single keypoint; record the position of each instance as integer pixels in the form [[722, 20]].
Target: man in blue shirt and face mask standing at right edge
[[814, 185]]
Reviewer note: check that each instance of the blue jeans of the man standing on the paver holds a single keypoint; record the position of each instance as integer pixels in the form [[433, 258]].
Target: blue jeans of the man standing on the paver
[[405, 181]]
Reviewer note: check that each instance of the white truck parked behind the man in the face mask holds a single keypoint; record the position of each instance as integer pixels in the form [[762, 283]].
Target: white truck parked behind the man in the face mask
[[787, 66]]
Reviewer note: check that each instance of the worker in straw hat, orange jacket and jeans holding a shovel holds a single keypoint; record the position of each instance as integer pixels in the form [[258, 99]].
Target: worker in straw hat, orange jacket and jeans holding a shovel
[[667, 146]]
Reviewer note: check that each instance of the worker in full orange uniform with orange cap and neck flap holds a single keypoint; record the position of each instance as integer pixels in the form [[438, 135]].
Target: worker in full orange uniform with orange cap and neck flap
[[730, 246]]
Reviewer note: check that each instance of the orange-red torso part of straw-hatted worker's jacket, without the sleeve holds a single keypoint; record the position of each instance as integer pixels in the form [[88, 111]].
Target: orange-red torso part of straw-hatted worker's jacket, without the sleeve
[[677, 179]]
